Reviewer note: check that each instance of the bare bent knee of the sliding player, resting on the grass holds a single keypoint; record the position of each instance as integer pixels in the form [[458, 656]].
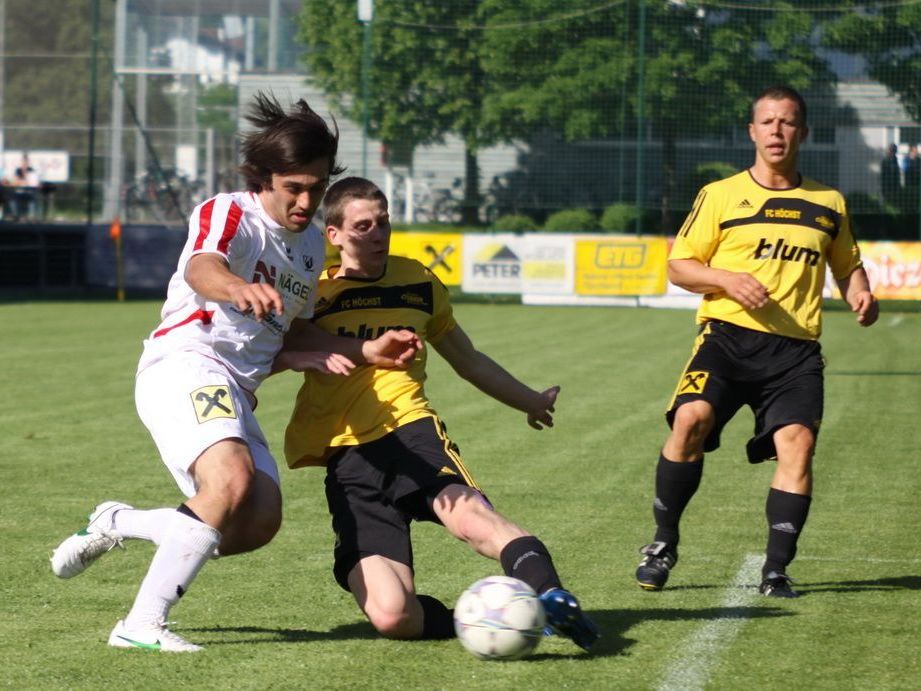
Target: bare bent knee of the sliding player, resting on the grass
[[384, 590]]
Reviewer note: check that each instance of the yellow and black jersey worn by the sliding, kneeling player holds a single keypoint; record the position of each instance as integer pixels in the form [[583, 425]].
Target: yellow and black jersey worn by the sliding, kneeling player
[[332, 410]]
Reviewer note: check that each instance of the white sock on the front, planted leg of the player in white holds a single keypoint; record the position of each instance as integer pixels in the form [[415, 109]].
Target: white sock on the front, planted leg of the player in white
[[186, 545]]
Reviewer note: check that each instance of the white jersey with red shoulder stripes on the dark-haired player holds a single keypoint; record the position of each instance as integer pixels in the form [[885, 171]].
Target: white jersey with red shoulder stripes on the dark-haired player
[[237, 227]]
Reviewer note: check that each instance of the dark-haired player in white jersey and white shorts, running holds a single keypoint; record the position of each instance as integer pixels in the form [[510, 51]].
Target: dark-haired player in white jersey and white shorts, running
[[244, 287]]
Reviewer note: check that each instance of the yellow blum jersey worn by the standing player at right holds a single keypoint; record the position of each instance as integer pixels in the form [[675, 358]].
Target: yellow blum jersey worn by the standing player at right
[[783, 238]]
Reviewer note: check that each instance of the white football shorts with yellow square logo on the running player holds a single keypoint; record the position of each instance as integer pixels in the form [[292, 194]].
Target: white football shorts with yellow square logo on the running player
[[188, 403]]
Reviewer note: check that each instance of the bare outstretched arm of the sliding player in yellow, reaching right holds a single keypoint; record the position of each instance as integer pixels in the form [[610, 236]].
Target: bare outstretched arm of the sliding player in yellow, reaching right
[[494, 380]]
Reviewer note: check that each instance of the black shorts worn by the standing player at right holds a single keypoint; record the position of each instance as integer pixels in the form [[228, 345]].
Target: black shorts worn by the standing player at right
[[779, 378]]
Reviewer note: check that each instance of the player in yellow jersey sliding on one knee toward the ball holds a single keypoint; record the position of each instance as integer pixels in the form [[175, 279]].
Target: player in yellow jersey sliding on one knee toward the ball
[[388, 458]]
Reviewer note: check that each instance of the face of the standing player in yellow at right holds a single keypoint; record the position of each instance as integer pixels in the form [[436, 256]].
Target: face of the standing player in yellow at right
[[777, 129]]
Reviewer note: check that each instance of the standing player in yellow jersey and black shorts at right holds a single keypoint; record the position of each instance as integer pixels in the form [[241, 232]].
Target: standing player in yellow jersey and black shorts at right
[[756, 245]]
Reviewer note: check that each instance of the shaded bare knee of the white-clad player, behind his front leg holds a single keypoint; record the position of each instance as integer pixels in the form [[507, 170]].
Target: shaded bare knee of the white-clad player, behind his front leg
[[256, 522]]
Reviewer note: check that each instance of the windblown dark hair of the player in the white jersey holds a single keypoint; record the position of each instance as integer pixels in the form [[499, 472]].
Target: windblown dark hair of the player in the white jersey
[[285, 142]]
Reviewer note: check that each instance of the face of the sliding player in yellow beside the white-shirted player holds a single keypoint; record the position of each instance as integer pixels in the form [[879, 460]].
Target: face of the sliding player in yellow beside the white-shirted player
[[364, 238]]
